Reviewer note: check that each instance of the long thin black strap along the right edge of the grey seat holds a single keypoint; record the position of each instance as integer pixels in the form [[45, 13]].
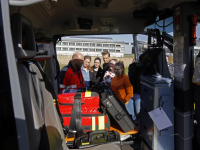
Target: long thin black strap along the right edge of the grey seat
[[50, 88]]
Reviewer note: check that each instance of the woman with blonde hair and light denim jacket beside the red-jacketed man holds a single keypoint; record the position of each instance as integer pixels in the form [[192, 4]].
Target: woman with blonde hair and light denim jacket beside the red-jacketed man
[[87, 71]]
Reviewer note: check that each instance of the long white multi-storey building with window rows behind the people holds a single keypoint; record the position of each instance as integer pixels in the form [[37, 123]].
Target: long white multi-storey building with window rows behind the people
[[92, 46]]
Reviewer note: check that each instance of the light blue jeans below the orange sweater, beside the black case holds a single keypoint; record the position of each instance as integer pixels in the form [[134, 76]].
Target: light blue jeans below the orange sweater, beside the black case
[[133, 107]]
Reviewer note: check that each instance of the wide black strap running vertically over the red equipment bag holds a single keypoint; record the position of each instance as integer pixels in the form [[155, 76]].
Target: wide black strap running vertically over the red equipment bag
[[76, 122]]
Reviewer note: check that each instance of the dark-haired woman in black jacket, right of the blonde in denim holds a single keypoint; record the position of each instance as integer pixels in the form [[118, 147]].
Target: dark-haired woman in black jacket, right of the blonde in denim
[[97, 70]]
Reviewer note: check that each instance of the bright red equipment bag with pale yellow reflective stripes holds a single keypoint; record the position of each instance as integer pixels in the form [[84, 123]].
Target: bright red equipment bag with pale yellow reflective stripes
[[91, 118]]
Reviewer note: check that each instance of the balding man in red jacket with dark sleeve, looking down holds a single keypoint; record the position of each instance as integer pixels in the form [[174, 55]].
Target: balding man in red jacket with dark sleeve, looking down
[[70, 76]]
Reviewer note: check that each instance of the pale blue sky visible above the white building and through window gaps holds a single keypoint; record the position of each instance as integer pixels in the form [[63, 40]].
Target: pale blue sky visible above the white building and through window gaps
[[129, 38]]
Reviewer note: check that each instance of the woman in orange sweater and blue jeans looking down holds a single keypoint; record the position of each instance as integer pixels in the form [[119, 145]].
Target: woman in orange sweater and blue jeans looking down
[[122, 87]]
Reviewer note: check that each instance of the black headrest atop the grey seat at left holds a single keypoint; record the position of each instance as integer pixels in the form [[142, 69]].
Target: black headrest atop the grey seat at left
[[23, 37]]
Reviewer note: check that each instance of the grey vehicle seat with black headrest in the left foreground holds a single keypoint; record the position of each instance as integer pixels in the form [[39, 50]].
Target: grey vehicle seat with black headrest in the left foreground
[[41, 116]]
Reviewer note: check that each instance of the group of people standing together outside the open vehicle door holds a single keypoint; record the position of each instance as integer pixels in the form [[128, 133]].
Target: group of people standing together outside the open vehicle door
[[79, 73]]
